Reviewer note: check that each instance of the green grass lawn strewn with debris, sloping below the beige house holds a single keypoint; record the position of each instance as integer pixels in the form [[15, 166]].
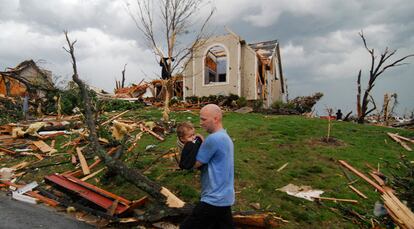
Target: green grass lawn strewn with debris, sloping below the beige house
[[262, 145]]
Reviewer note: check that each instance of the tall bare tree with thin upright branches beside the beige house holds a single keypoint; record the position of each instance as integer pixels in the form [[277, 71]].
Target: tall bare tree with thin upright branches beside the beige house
[[163, 24]]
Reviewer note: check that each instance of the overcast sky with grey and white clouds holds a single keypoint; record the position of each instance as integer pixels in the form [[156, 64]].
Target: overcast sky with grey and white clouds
[[320, 47]]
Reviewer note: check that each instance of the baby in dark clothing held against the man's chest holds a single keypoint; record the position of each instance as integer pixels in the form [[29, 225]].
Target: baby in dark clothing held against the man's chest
[[188, 142]]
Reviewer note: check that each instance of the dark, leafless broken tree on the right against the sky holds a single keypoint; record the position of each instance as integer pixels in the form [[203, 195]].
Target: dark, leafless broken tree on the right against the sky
[[377, 68]]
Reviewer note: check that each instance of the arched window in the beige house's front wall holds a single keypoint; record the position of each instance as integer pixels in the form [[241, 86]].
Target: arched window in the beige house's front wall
[[215, 65]]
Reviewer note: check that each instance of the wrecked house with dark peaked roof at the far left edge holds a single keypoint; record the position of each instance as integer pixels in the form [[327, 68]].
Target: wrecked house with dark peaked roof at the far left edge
[[26, 77]]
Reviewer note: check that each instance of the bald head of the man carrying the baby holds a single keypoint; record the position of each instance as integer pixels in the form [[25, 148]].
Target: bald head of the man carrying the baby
[[211, 117]]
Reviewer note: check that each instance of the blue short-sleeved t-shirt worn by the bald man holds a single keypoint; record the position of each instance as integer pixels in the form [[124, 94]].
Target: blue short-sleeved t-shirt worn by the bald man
[[217, 173]]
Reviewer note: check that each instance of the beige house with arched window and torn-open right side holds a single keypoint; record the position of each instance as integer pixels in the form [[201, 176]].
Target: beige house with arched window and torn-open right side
[[226, 65]]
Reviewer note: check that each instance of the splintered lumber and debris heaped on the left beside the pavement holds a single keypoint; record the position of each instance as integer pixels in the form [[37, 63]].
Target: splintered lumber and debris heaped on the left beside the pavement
[[34, 147]]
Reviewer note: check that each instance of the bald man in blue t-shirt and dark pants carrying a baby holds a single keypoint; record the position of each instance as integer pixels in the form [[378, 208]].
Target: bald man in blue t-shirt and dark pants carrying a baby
[[215, 158]]
